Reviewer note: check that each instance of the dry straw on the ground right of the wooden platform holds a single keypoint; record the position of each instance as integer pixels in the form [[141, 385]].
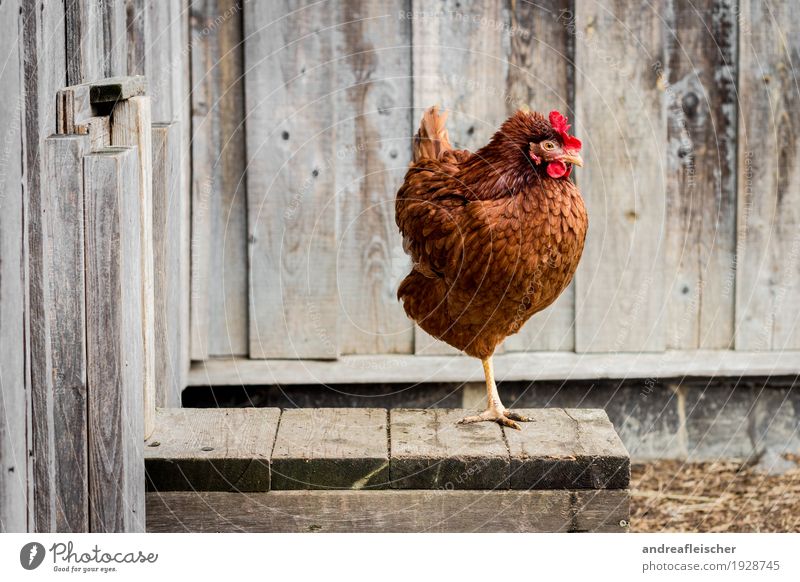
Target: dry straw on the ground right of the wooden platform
[[673, 496]]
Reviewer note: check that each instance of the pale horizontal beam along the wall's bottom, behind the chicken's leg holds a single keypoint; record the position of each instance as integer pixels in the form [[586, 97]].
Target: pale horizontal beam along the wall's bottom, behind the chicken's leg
[[508, 367]]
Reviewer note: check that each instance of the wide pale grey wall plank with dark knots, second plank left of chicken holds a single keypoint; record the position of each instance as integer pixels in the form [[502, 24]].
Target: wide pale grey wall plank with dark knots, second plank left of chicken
[[290, 76]]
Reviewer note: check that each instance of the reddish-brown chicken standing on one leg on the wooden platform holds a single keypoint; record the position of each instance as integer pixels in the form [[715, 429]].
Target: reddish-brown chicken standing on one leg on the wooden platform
[[495, 236]]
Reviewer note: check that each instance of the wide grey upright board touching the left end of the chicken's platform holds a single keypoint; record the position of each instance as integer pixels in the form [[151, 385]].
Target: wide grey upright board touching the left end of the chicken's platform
[[115, 344]]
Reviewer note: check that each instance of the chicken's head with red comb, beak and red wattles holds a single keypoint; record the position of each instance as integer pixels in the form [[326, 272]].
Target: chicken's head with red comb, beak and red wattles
[[552, 147]]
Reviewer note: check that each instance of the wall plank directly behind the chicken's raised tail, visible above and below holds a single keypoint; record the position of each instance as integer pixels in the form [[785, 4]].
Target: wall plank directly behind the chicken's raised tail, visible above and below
[[460, 64]]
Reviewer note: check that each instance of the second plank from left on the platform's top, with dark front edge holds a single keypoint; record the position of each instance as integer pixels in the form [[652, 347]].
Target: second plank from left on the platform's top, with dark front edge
[[331, 448]]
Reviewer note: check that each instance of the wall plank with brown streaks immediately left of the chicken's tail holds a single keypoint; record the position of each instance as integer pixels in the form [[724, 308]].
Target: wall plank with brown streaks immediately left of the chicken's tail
[[373, 151]]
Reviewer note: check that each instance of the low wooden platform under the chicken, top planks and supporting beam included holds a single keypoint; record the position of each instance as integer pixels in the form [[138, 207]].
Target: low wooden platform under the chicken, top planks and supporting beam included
[[379, 470]]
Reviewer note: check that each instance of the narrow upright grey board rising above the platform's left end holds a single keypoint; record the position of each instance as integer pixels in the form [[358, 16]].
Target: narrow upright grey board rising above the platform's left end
[[169, 290]]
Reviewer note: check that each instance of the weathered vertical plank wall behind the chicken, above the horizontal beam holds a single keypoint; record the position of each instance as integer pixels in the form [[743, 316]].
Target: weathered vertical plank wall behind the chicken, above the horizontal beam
[[681, 255]]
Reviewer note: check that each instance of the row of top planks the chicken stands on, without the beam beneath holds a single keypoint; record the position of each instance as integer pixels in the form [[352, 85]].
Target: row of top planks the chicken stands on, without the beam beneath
[[262, 449]]
